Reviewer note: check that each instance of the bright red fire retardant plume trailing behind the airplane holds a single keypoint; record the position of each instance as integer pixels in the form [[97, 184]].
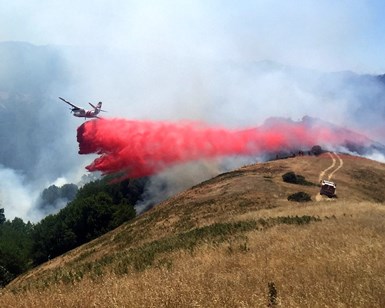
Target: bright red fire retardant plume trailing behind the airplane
[[140, 148]]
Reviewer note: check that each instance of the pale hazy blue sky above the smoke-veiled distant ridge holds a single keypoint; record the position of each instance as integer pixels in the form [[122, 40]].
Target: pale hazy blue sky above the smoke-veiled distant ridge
[[328, 35]]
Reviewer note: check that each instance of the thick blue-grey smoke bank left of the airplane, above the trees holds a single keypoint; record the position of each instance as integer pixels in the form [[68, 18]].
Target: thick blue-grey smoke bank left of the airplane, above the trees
[[37, 143]]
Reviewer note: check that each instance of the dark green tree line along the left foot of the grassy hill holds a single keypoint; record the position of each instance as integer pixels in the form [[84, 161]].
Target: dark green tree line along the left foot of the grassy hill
[[98, 207]]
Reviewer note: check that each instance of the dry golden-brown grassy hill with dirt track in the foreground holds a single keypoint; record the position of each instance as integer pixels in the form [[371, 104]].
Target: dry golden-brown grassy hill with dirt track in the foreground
[[234, 241]]
